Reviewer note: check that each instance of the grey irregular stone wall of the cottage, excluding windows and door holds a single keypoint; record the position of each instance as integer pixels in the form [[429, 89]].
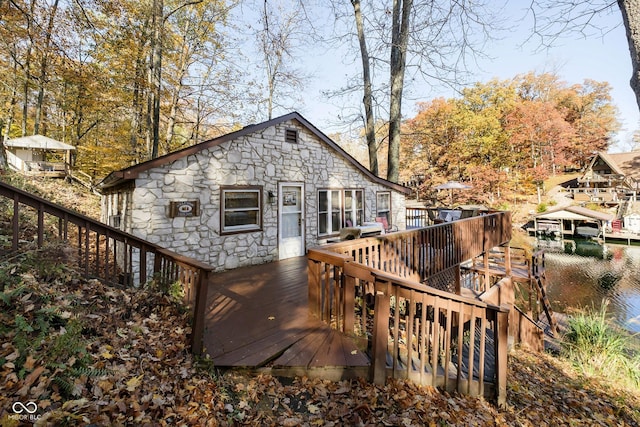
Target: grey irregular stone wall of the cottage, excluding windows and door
[[262, 159]]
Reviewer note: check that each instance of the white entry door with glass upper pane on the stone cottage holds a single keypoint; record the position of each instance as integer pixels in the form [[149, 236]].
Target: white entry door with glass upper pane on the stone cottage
[[291, 220]]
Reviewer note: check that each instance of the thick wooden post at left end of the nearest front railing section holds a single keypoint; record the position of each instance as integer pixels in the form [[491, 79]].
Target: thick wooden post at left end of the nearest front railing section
[[380, 339]]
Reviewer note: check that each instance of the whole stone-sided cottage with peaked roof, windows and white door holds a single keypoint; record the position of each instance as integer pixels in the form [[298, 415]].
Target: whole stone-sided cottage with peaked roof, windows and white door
[[266, 192]]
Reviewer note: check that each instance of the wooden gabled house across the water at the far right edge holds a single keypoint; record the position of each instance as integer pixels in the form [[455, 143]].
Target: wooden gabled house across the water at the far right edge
[[610, 178]]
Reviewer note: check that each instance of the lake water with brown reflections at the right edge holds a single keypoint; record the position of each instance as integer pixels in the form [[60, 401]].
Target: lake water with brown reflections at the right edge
[[582, 273]]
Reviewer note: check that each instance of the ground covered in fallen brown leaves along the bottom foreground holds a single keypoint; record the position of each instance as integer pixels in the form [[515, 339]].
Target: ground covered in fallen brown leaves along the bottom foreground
[[87, 354]]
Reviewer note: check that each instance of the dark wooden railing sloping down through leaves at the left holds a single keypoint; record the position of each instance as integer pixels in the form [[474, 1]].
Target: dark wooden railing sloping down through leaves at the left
[[104, 252]]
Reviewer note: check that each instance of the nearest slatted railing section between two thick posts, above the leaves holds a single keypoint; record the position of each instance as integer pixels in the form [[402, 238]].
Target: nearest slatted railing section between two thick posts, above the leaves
[[434, 343]]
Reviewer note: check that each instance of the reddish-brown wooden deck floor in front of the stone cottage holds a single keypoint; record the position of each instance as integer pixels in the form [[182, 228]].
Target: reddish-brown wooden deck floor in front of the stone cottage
[[258, 317]]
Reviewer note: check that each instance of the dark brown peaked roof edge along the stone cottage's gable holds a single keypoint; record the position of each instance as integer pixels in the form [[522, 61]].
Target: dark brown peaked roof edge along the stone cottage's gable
[[132, 172]]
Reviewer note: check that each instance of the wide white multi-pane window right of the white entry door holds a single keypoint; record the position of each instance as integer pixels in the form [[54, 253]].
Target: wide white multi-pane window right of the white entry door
[[338, 209]]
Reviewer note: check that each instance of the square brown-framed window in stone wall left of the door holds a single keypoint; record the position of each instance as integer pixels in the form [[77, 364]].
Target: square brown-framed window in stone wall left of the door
[[241, 209]]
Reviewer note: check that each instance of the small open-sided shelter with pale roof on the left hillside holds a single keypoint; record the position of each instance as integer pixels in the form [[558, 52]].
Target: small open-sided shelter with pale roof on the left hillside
[[39, 155]]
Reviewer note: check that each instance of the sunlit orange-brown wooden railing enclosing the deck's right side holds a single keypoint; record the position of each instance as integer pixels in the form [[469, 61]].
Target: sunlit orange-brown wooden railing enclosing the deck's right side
[[366, 287]]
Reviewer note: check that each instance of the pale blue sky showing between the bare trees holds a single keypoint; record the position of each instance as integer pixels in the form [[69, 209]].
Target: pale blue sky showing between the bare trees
[[599, 57]]
